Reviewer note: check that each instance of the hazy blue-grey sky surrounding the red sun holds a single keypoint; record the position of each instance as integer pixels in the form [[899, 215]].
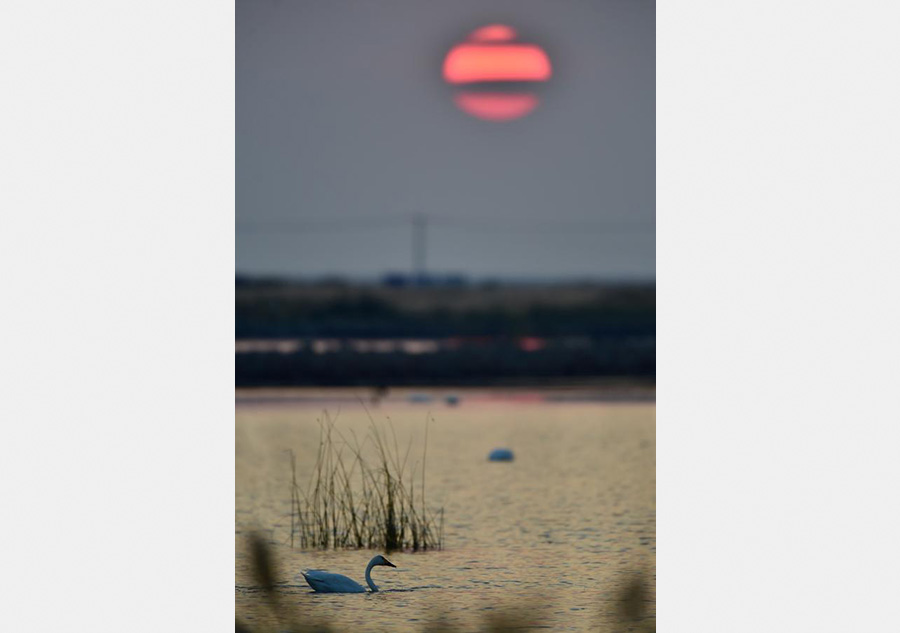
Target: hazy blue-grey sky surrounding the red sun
[[345, 128]]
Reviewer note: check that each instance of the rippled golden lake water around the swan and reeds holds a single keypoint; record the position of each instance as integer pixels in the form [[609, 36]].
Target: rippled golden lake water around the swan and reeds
[[552, 538]]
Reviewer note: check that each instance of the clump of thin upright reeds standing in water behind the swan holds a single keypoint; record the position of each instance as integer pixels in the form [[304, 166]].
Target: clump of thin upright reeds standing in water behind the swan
[[364, 494]]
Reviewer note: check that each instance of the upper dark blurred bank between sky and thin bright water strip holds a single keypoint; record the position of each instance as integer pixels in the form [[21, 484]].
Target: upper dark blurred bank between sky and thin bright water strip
[[273, 309]]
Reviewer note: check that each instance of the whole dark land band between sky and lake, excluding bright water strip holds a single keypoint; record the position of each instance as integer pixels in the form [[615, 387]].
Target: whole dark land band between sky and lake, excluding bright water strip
[[585, 330]]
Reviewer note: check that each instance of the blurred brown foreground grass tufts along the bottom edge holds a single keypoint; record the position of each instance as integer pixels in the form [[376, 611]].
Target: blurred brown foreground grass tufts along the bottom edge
[[629, 611]]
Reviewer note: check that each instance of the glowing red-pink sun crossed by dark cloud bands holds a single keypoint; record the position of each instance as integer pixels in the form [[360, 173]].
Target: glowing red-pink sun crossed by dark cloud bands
[[489, 59]]
